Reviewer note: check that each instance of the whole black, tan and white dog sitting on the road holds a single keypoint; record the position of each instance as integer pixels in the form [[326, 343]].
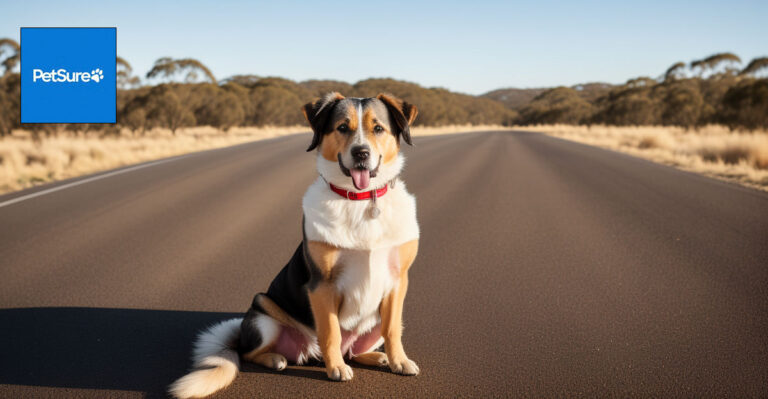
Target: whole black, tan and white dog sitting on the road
[[341, 294]]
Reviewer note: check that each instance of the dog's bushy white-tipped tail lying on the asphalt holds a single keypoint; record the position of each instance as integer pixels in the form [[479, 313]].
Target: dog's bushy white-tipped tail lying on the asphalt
[[215, 360]]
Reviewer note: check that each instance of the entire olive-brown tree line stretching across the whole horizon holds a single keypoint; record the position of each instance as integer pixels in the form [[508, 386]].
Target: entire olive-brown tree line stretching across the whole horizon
[[185, 93]]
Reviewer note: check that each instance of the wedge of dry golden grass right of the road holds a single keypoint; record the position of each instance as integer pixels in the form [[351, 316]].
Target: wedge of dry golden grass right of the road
[[712, 150]]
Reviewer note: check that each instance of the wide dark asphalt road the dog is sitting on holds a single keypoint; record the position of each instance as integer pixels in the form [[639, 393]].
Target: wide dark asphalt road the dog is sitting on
[[546, 268]]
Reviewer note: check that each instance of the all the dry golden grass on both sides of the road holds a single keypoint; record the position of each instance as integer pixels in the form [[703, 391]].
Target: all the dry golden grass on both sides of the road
[[713, 150]]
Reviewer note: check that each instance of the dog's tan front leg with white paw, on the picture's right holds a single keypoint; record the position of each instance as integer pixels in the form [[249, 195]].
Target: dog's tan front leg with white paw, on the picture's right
[[392, 315]]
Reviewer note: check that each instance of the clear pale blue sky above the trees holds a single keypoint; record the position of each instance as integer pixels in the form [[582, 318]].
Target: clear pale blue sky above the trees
[[469, 46]]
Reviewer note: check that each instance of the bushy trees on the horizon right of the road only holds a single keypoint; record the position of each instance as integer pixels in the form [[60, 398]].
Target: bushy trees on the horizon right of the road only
[[713, 90]]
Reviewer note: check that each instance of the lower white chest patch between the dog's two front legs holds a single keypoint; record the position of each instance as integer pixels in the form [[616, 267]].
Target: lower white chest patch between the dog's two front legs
[[365, 278]]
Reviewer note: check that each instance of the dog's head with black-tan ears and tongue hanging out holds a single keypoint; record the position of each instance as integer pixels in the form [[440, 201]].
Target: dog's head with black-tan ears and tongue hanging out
[[358, 139]]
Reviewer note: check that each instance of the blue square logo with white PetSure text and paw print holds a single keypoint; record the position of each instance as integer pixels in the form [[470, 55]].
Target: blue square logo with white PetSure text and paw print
[[68, 75]]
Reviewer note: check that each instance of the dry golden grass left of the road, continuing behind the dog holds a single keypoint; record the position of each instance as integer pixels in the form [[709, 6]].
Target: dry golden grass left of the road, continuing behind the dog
[[25, 162]]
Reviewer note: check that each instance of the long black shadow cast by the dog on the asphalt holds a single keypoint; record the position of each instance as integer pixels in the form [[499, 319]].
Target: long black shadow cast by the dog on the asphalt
[[101, 348]]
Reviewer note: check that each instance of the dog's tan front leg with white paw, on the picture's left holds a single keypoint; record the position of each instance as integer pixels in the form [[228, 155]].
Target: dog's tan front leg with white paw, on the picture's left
[[325, 301]]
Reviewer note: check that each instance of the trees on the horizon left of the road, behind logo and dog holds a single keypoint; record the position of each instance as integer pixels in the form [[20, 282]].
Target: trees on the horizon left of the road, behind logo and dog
[[186, 93]]
